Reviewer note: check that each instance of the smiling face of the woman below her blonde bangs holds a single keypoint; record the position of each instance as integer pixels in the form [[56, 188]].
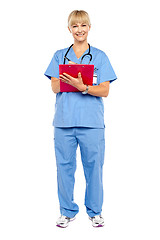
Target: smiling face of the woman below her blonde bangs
[[79, 31]]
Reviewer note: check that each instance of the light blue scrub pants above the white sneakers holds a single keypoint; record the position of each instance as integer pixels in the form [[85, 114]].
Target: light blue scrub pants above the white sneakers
[[92, 147]]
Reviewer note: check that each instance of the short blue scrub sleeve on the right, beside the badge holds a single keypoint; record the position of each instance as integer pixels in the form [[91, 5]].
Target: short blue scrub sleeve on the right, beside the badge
[[106, 72]]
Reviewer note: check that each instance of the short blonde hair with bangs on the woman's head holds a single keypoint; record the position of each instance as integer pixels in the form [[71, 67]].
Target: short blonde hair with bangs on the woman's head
[[78, 16]]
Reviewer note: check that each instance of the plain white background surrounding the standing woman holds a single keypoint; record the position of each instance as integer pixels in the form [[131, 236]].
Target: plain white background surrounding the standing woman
[[128, 32]]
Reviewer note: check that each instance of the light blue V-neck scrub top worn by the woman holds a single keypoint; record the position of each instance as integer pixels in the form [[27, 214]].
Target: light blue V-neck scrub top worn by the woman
[[73, 109]]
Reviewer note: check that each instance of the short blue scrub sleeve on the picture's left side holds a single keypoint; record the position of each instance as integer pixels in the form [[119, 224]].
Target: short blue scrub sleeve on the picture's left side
[[53, 68]]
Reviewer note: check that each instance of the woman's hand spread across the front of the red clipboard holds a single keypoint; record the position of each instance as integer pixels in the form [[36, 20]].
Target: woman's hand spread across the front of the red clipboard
[[75, 82]]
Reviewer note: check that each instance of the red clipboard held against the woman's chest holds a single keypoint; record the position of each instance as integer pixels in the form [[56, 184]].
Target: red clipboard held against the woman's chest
[[86, 70]]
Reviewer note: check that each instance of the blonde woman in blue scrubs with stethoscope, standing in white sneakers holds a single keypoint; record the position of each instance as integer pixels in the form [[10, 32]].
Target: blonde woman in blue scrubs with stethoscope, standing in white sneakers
[[79, 119]]
